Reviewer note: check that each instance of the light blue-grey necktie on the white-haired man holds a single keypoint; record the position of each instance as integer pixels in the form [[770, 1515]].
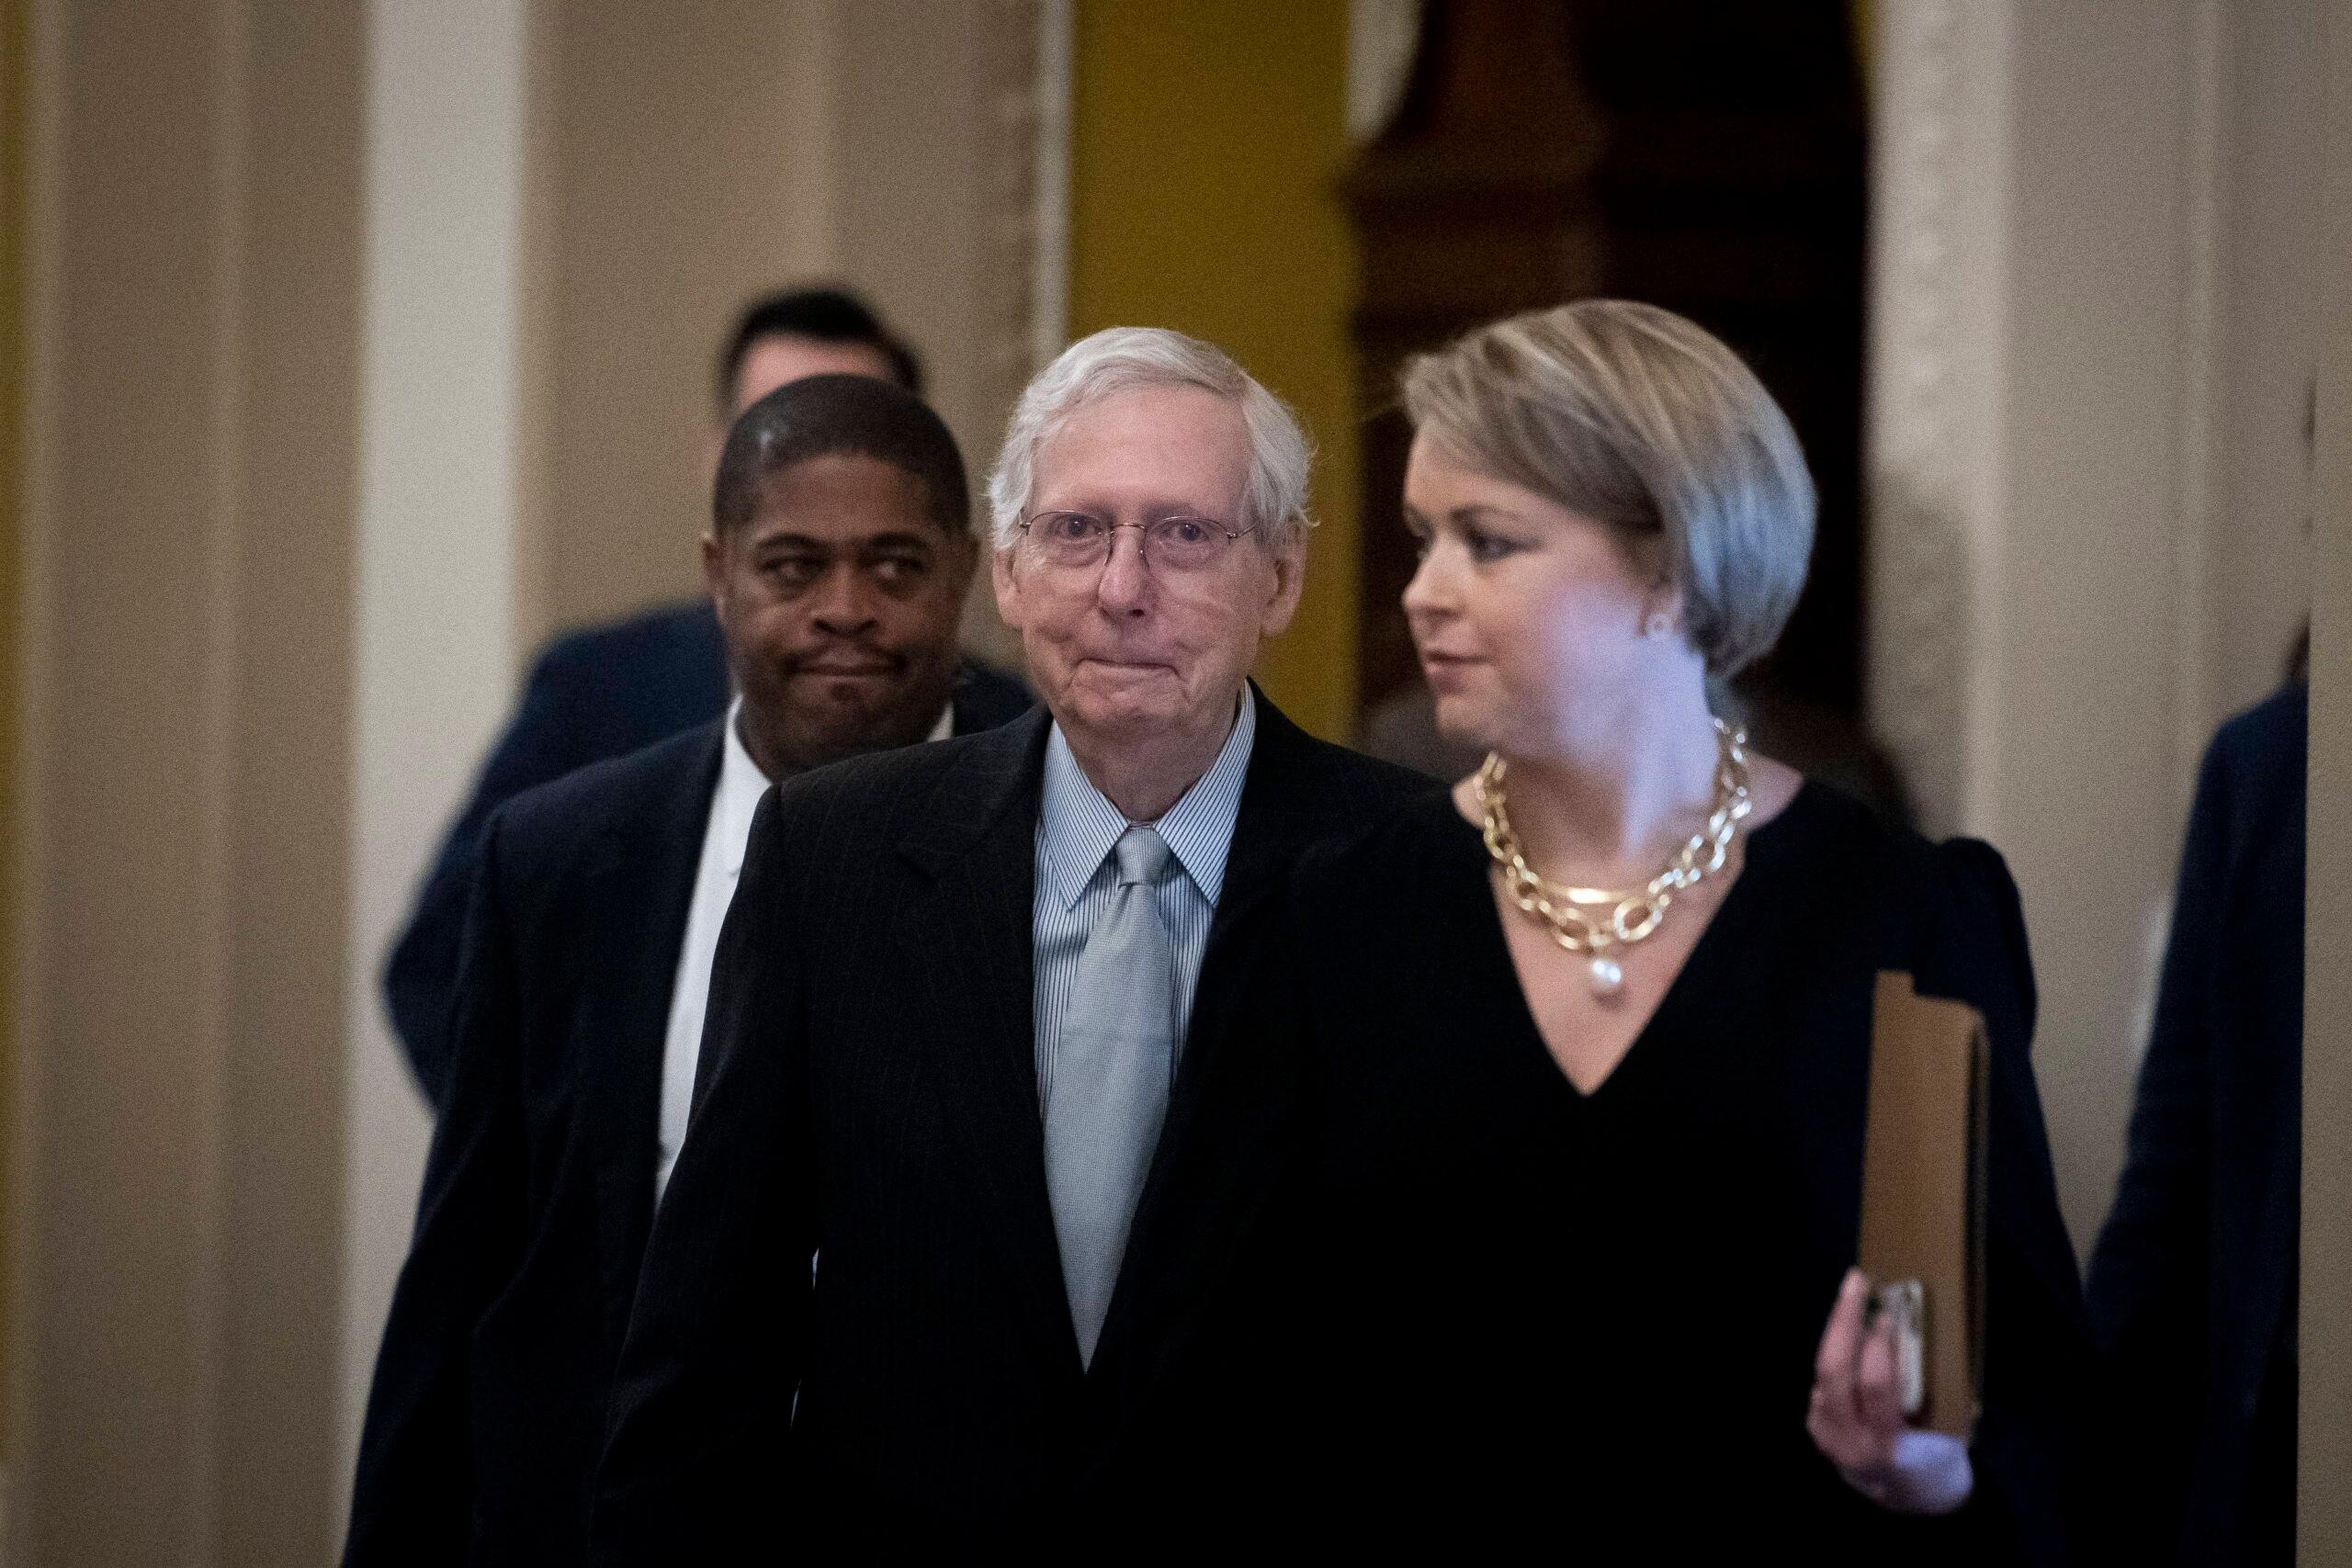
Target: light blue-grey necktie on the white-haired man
[[1111, 1083]]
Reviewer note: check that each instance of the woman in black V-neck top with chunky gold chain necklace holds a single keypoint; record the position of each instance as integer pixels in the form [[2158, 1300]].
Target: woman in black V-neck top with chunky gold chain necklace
[[1565, 1207]]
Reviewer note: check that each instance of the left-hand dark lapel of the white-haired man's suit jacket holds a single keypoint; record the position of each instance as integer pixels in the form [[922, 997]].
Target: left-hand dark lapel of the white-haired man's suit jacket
[[973, 939]]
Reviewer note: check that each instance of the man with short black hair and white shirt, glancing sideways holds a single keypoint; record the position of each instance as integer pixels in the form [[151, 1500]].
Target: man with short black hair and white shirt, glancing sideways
[[838, 561]]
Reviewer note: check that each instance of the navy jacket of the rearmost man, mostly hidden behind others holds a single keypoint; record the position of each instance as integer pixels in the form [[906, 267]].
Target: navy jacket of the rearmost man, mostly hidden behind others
[[592, 695]]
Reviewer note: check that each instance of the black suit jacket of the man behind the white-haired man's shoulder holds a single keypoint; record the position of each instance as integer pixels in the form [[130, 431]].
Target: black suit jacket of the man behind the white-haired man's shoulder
[[488, 1409]]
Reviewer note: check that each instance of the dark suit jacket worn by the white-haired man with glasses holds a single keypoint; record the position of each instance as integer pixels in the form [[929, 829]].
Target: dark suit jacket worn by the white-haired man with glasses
[[869, 1092]]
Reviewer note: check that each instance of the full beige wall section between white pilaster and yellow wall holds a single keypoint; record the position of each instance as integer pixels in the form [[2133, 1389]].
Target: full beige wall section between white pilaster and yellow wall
[[695, 154]]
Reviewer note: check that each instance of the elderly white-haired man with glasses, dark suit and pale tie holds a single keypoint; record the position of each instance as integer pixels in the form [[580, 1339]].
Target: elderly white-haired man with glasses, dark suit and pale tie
[[949, 1024]]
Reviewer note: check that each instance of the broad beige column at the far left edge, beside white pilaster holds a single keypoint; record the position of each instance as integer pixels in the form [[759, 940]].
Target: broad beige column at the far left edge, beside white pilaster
[[194, 272]]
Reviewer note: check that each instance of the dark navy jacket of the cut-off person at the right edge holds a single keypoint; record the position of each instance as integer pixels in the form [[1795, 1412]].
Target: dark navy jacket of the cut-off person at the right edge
[[2193, 1282]]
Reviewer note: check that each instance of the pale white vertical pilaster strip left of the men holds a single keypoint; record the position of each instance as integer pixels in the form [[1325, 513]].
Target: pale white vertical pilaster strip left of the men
[[443, 380]]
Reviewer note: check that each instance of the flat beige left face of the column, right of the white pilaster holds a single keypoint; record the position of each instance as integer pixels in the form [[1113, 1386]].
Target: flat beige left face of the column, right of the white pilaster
[[681, 166]]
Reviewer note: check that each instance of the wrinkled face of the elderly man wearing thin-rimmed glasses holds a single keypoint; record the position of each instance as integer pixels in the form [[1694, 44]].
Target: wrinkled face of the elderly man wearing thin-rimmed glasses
[[1130, 648]]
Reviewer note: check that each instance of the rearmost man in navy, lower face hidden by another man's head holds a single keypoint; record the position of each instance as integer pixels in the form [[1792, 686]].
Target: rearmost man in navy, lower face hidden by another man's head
[[610, 690]]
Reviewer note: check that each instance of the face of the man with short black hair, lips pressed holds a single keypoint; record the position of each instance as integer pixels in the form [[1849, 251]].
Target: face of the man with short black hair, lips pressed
[[838, 601]]
